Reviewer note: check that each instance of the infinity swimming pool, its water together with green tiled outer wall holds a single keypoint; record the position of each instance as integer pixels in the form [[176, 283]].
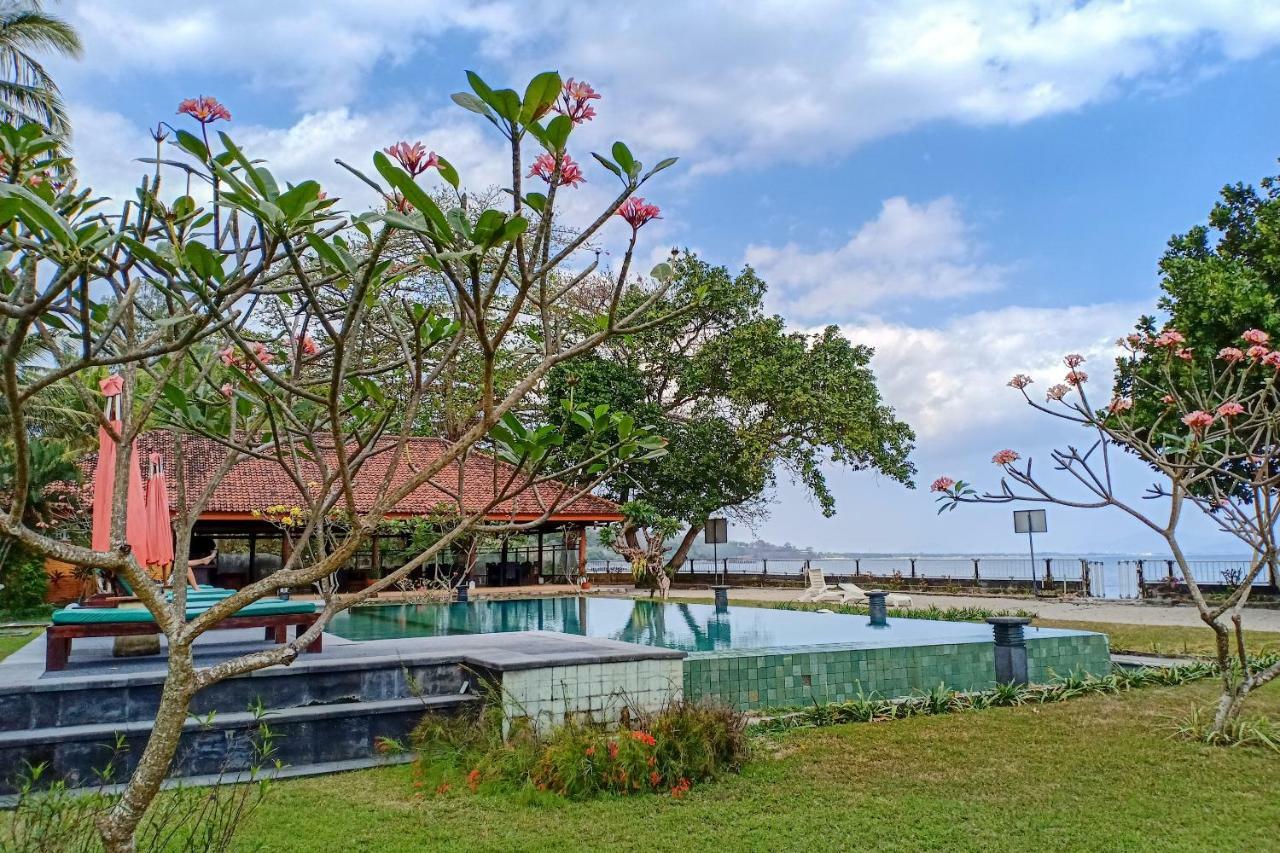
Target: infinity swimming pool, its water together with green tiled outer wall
[[758, 658]]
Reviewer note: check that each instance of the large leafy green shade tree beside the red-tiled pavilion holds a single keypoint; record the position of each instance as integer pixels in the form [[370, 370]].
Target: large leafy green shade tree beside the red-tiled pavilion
[[742, 399]]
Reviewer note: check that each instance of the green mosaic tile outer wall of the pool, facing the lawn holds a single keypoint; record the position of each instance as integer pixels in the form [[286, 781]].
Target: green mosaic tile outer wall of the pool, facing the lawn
[[803, 676]]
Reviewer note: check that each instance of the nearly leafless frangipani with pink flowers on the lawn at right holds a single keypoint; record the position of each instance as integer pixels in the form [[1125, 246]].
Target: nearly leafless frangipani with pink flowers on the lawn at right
[[1215, 449]]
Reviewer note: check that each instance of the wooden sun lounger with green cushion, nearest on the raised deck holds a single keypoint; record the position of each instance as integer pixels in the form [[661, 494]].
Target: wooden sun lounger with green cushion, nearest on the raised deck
[[273, 614]]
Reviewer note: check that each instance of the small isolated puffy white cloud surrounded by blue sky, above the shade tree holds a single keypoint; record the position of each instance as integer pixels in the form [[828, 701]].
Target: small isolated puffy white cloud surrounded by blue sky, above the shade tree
[[909, 250]]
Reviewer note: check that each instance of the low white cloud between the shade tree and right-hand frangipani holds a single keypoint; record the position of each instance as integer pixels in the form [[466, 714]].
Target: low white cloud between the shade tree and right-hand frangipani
[[949, 381]]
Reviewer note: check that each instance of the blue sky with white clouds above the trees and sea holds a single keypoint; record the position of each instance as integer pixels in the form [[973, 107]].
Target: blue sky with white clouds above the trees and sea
[[973, 188]]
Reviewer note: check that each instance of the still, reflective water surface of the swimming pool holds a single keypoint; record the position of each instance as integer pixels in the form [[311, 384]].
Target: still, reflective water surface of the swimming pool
[[691, 628]]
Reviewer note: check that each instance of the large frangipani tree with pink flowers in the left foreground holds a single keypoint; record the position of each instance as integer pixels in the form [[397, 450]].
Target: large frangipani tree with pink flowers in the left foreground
[[249, 321]]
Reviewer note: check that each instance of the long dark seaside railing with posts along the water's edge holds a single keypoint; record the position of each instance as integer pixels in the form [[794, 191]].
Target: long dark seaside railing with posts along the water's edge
[[1080, 576]]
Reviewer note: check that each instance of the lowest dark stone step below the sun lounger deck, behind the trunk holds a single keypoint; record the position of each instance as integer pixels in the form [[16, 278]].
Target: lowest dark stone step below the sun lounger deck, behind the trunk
[[305, 737]]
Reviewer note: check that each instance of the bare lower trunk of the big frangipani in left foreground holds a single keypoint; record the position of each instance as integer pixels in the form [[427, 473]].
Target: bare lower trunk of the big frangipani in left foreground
[[118, 827]]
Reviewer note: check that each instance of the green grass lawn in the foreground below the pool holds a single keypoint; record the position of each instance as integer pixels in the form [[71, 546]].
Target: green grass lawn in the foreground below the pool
[[1092, 774]]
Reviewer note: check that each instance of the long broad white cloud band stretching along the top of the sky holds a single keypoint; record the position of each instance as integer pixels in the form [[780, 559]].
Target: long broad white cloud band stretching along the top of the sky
[[730, 84]]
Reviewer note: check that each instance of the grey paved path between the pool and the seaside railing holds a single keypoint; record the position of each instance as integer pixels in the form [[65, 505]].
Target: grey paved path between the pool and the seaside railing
[[1089, 610]]
